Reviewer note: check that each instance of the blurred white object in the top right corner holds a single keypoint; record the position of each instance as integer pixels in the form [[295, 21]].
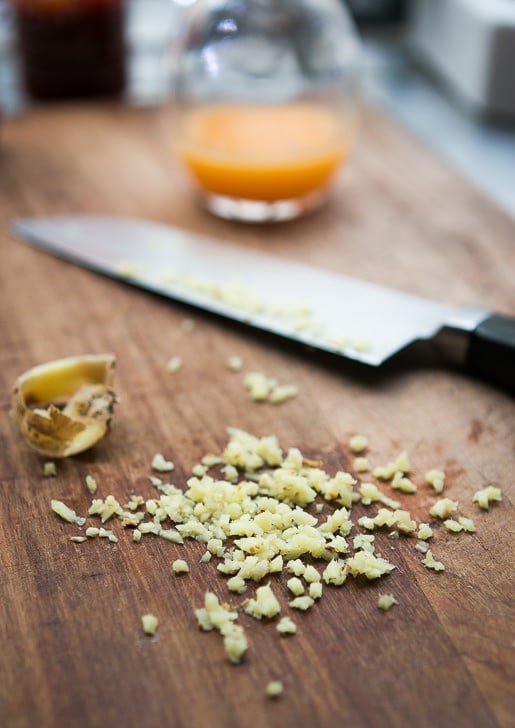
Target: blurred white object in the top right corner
[[471, 45]]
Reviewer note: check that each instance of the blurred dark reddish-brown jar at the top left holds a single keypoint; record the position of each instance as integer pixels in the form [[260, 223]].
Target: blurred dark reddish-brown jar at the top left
[[71, 48]]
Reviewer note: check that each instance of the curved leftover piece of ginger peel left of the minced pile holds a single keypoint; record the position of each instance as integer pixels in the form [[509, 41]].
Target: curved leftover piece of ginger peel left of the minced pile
[[65, 406]]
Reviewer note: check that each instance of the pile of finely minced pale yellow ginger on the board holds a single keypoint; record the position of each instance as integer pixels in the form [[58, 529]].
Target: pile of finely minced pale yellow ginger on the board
[[259, 512]]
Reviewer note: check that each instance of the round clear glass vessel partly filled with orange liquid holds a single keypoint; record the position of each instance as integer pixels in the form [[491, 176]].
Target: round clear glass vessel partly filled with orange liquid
[[266, 92]]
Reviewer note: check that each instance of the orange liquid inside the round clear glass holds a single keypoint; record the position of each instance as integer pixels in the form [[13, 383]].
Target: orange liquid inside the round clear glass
[[266, 153]]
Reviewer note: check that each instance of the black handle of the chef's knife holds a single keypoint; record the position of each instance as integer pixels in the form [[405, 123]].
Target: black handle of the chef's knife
[[491, 351]]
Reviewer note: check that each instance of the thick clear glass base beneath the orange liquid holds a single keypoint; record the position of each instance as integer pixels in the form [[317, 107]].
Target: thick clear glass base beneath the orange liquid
[[261, 211]]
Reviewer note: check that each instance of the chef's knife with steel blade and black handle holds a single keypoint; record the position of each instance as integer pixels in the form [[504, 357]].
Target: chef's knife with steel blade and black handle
[[335, 313]]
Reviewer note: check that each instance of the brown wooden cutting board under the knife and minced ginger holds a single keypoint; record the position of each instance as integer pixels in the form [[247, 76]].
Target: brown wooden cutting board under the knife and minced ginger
[[73, 650]]
